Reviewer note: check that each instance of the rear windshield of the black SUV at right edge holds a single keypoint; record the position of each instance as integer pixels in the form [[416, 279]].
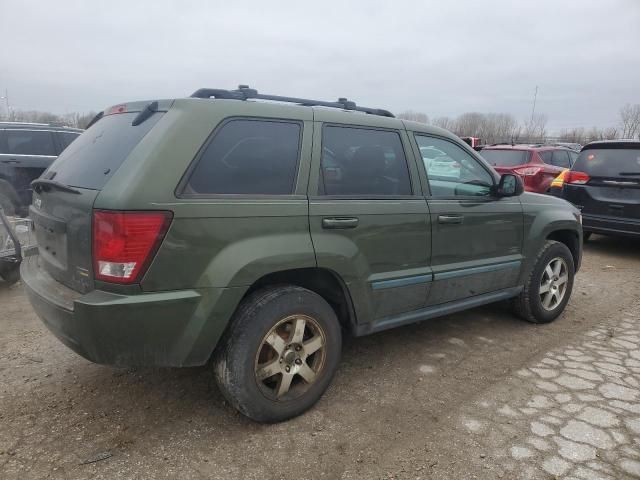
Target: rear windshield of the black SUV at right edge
[[617, 162]]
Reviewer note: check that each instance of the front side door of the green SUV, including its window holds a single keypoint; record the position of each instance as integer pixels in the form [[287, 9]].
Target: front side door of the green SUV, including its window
[[476, 237]]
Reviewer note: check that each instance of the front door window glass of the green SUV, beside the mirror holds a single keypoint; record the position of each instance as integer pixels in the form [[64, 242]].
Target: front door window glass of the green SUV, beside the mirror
[[451, 171]]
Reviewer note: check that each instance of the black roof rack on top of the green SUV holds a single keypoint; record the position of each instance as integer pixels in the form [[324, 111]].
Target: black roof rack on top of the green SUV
[[244, 93]]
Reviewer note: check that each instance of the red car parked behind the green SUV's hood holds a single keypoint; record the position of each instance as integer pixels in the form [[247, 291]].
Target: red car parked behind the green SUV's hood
[[538, 165]]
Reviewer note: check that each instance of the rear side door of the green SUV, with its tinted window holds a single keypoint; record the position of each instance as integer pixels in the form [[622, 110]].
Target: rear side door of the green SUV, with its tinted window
[[369, 222]]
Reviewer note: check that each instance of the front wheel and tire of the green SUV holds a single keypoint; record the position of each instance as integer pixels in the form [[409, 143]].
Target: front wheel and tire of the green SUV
[[530, 304]]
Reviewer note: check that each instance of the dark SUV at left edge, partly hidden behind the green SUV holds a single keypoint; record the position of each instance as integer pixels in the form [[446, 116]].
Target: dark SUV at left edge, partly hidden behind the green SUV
[[26, 150]]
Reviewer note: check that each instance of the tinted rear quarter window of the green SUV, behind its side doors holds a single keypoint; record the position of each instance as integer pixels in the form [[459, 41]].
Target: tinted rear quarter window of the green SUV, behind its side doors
[[250, 157]]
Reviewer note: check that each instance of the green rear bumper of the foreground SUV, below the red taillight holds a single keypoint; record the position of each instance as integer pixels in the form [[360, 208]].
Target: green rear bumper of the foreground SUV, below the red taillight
[[150, 329]]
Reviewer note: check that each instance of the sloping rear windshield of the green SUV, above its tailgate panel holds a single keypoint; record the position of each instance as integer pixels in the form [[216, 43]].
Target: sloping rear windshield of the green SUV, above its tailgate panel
[[90, 160]]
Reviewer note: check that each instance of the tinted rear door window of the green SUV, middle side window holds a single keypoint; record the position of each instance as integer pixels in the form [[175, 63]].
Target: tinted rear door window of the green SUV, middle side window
[[358, 161]]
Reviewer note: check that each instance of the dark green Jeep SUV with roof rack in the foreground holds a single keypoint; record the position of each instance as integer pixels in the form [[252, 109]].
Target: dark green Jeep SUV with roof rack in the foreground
[[254, 230]]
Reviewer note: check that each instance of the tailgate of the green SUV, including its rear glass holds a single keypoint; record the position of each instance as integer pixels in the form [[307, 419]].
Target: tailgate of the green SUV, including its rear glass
[[62, 205]]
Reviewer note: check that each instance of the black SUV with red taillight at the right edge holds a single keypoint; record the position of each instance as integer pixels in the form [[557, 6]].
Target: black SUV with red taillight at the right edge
[[604, 184]]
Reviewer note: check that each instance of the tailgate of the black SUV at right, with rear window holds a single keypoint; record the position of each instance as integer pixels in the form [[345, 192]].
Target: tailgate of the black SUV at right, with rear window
[[612, 188]]
